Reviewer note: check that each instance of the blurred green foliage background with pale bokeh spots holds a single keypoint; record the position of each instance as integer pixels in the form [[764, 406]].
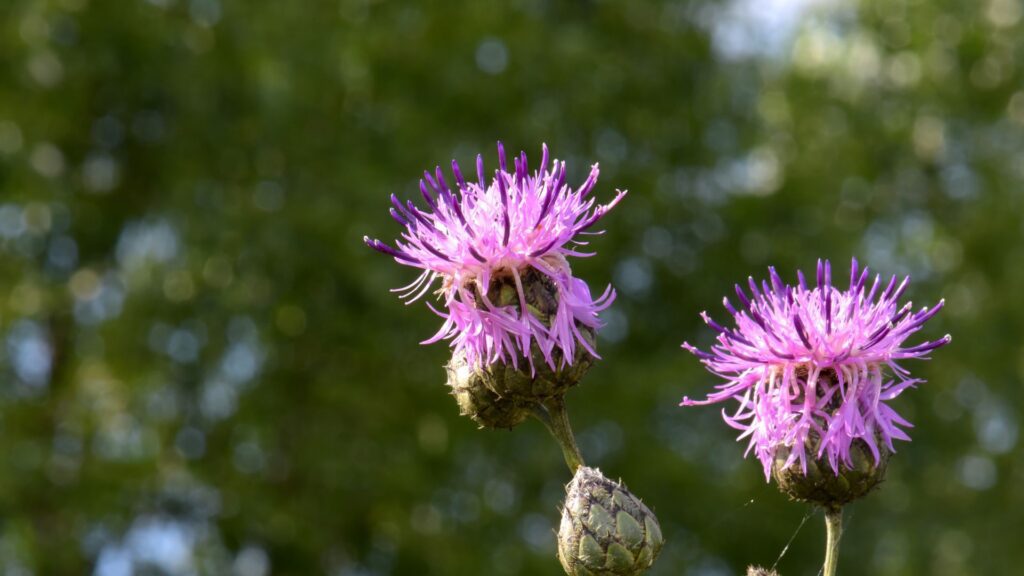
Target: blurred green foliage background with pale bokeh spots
[[202, 371]]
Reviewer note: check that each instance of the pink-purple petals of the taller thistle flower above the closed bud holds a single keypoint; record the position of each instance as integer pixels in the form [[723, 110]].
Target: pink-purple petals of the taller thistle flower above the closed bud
[[476, 233]]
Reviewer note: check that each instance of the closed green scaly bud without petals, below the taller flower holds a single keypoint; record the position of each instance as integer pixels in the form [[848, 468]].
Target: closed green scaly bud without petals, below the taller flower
[[606, 530]]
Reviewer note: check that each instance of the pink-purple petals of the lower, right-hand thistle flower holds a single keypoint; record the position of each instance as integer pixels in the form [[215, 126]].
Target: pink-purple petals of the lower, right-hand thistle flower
[[803, 362]]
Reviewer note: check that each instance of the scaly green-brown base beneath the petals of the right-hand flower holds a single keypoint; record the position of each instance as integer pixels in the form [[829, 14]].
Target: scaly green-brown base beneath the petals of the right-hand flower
[[822, 485]]
